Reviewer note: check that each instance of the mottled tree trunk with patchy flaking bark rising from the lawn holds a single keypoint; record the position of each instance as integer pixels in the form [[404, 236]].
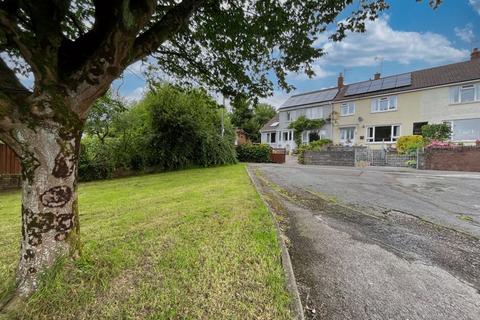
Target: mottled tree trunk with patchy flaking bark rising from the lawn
[[50, 228]]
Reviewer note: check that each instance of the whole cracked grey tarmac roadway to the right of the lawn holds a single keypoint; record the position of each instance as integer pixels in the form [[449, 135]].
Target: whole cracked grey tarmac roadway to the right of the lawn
[[360, 252]]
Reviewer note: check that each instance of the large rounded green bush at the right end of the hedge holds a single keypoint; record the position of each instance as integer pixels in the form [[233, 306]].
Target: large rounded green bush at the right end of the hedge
[[184, 129]]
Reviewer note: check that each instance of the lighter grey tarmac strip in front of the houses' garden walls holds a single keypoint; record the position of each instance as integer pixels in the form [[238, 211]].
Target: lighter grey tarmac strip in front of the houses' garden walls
[[451, 199]]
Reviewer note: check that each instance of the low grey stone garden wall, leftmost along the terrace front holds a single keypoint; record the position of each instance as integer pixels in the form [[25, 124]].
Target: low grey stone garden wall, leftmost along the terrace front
[[340, 157]]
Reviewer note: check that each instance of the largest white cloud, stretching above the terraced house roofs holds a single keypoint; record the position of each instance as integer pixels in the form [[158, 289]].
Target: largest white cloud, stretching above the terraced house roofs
[[380, 40]]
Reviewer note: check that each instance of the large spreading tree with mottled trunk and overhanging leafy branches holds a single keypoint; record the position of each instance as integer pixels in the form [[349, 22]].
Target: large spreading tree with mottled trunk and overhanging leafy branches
[[75, 49]]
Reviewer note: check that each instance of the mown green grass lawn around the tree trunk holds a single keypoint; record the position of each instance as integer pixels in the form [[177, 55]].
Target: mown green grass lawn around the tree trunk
[[193, 244]]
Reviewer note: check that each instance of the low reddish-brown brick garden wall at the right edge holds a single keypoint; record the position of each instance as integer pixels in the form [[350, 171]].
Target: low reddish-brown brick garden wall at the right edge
[[455, 159]]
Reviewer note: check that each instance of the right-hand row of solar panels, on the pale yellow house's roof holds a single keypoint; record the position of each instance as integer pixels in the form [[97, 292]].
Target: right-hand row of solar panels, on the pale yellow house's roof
[[401, 80]]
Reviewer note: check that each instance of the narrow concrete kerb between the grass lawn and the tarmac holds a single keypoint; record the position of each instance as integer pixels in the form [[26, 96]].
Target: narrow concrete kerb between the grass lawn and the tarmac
[[286, 261]]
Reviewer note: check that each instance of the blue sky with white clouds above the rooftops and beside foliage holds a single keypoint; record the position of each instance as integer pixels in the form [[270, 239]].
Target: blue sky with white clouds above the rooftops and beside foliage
[[409, 36]]
